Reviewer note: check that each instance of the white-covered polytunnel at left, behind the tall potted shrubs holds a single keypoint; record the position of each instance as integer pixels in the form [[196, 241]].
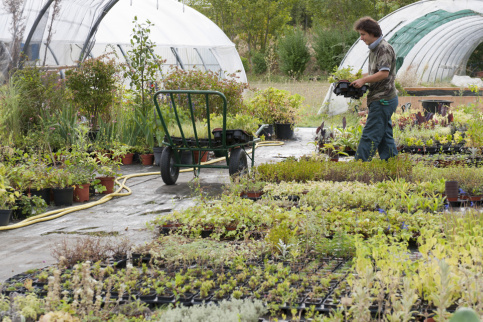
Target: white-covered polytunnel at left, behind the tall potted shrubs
[[88, 28]]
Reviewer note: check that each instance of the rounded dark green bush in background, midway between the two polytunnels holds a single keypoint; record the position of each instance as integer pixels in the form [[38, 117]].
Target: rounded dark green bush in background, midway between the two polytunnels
[[294, 53]]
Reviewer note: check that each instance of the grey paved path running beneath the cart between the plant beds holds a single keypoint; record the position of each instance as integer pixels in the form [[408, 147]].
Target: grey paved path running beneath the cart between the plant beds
[[31, 246]]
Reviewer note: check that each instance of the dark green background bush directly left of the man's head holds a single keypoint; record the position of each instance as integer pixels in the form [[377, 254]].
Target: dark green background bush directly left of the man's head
[[331, 46]]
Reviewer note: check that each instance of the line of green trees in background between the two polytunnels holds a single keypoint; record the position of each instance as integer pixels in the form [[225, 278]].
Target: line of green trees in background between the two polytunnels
[[259, 27]]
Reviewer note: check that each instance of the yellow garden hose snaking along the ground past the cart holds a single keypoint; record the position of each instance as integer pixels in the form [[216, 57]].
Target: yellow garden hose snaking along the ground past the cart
[[64, 211]]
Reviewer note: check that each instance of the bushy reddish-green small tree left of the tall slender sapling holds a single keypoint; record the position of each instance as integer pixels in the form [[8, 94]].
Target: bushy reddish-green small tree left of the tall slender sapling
[[93, 86]]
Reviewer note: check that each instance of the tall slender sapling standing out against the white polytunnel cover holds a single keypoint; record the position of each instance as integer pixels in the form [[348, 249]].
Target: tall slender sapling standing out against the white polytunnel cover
[[143, 63]]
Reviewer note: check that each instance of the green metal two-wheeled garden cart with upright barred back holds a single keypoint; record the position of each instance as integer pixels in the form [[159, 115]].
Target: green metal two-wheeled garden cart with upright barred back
[[171, 159]]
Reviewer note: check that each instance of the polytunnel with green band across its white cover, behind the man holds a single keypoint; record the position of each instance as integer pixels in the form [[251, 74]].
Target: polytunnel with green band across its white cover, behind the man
[[432, 39]]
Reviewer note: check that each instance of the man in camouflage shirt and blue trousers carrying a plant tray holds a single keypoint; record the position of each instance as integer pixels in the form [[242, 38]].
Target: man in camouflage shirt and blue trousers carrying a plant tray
[[382, 98]]
